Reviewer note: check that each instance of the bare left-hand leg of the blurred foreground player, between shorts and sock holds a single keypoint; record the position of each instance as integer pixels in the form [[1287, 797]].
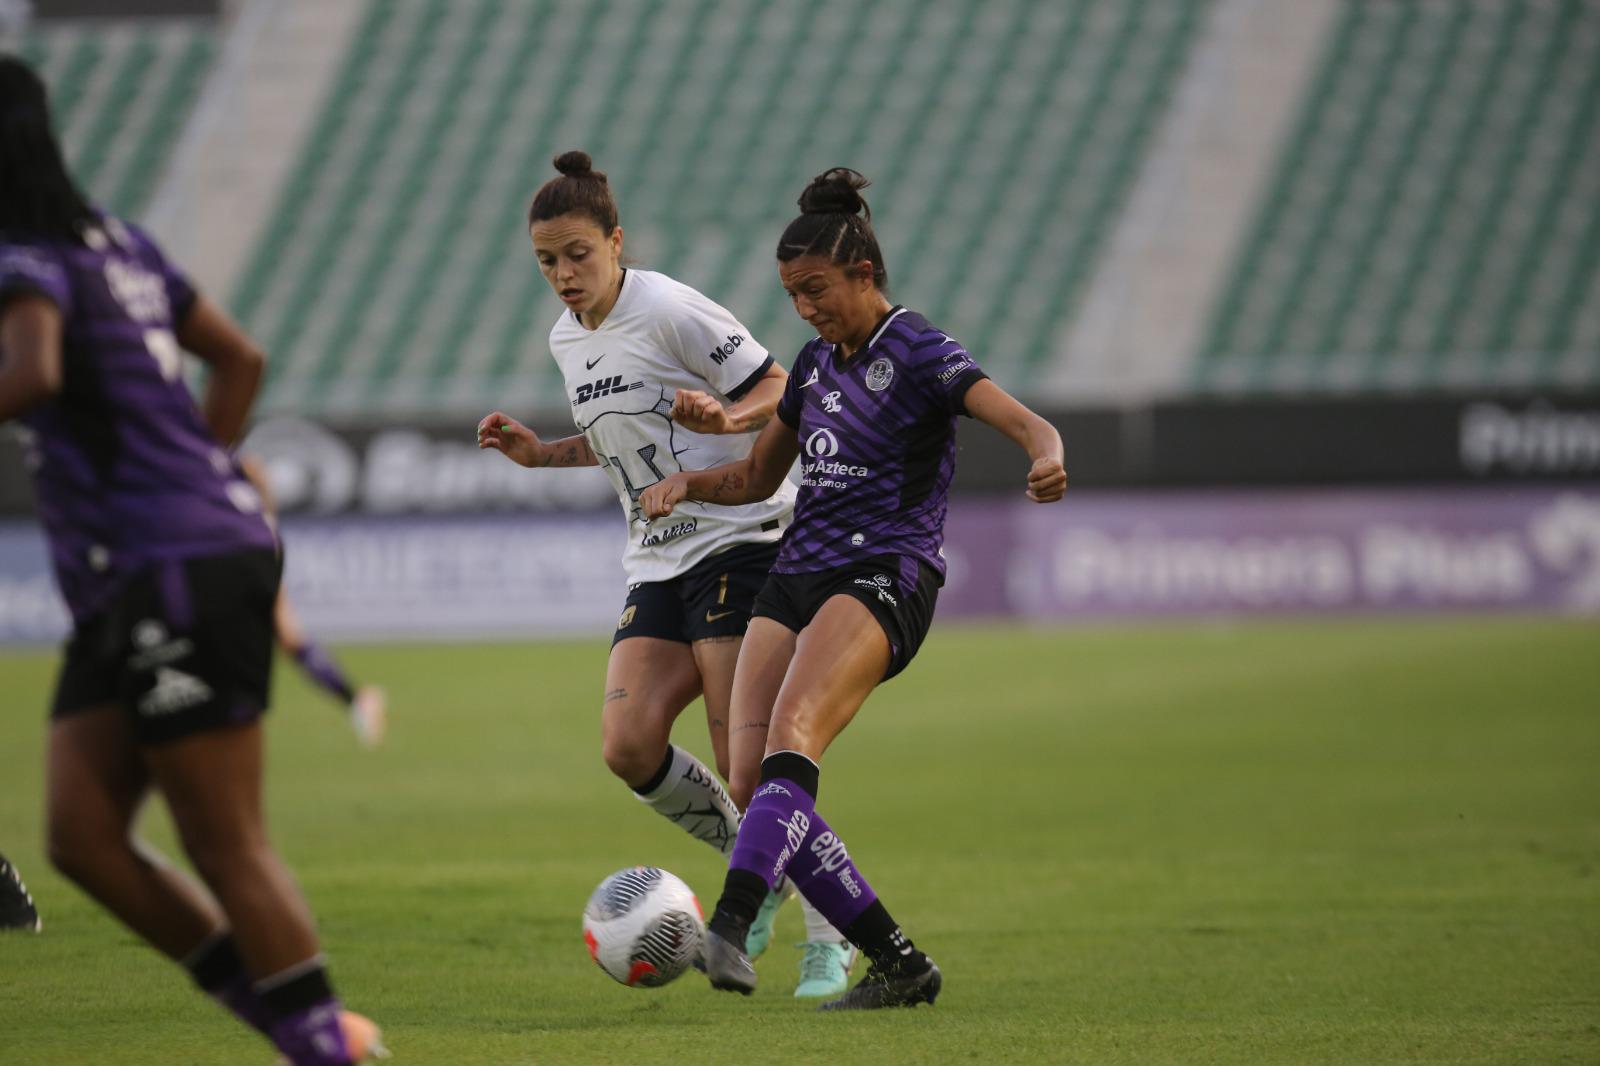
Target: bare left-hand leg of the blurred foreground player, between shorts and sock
[[95, 787]]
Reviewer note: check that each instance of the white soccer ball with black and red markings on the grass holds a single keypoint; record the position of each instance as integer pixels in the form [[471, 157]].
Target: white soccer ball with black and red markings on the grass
[[644, 928]]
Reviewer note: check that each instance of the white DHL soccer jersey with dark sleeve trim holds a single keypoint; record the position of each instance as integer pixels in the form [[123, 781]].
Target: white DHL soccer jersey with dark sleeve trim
[[622, 379]]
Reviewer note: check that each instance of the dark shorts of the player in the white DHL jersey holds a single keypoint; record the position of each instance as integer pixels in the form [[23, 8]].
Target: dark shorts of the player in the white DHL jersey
[[711, 599]]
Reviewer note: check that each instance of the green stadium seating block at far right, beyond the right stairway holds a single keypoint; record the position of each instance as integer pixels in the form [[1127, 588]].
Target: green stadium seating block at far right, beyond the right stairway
[[1433, 222]]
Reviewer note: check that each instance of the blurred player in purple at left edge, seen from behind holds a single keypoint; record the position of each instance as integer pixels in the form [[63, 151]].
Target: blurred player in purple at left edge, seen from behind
[[170, 572]]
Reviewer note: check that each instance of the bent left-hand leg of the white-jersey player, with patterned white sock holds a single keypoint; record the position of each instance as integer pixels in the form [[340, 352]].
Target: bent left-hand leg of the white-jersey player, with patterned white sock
[[649, 684]]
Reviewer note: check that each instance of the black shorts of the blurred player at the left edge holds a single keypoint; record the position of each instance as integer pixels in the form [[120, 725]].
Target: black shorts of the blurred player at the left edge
[[186, 647]]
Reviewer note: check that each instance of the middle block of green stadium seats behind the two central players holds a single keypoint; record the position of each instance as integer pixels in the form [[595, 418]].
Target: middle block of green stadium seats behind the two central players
[[1002, 138]]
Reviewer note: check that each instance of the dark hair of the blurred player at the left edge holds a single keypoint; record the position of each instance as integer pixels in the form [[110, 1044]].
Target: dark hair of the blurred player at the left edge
[[38, 194]]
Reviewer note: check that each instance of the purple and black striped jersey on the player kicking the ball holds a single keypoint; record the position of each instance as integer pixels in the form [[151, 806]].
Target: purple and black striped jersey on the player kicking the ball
[[878, 446]]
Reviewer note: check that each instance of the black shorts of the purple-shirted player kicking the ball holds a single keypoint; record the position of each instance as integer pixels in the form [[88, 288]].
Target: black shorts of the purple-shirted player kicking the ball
[[900, 591]]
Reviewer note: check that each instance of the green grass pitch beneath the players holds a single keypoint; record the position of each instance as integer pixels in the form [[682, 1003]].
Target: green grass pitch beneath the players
[[1345, 843]]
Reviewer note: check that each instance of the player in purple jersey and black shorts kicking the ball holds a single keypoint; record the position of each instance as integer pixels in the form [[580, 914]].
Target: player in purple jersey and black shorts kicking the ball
[[870, 411]]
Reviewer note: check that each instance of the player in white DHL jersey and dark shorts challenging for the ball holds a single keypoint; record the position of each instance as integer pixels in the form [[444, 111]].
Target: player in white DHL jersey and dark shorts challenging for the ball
[[663, 380]]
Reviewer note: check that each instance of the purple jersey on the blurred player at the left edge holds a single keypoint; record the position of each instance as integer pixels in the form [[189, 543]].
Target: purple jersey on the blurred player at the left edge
[[124, 468]]
